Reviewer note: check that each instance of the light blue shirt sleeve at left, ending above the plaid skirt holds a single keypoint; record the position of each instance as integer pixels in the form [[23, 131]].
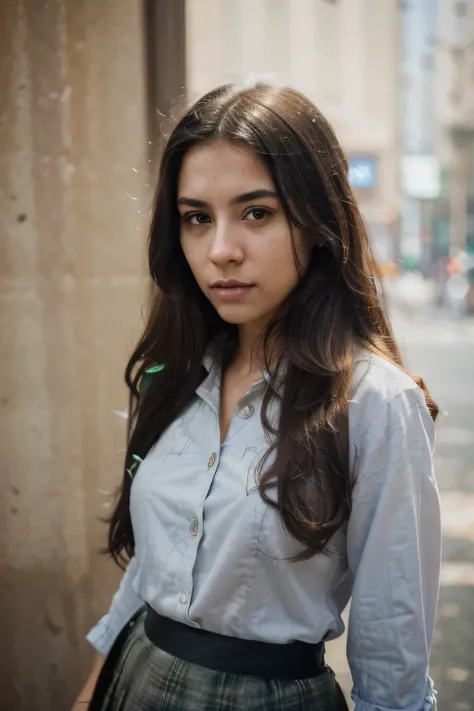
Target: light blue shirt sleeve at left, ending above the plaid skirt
[[125, 604]]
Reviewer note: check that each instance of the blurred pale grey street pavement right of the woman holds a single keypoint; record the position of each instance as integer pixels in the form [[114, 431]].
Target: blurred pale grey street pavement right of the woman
[[441, 347]]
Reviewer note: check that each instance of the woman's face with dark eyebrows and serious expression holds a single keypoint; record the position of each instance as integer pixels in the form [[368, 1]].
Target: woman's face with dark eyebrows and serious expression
[[234, 233]]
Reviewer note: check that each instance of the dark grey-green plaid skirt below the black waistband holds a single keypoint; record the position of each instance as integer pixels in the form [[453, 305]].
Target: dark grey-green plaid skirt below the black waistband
[[138, 676]]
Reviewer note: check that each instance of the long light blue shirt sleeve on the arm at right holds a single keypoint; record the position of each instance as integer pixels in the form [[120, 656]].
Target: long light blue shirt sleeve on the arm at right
[[394, 553]]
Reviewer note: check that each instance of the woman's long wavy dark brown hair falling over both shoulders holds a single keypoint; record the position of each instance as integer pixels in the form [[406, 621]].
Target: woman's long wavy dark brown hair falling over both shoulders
[[335, 308]]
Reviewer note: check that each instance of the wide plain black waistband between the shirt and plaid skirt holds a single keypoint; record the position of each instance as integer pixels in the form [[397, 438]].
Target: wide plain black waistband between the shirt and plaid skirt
[[296, 660]]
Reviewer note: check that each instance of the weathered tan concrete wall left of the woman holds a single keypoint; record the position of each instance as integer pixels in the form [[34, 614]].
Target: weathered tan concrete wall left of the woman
[[73, 154]]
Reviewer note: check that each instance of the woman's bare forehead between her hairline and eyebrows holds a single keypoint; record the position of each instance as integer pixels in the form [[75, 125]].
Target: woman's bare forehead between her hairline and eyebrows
[[219, 170]]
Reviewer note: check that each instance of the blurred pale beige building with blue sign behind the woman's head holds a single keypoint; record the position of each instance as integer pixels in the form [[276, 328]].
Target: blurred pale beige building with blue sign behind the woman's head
[[344, 54]]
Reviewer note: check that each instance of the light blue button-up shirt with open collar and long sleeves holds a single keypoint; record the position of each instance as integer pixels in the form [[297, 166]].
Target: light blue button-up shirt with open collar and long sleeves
[[210, 553]]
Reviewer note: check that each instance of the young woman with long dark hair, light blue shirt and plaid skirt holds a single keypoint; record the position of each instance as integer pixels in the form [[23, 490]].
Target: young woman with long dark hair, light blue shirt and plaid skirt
[[280, 457]]
